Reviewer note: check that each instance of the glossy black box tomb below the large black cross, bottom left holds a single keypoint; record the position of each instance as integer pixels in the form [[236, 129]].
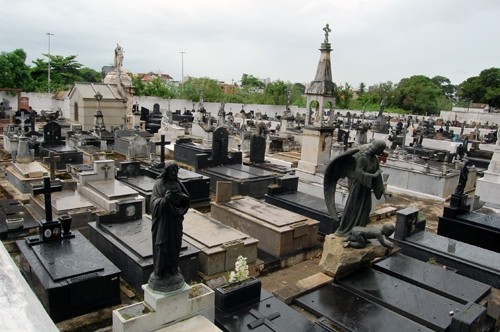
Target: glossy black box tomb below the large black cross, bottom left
[[73, 277]]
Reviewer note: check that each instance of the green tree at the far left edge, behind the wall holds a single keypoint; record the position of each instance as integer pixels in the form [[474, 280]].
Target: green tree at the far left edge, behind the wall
[[14, 72]]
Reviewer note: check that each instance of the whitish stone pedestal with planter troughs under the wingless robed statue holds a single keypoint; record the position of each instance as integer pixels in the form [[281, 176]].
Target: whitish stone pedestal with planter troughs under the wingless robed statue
[[159, 310]]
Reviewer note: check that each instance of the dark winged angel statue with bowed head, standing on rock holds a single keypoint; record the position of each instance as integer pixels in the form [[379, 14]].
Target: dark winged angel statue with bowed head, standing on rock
[[361, 166]]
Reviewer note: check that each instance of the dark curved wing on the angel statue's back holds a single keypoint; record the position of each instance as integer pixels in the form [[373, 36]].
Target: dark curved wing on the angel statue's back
[[340, 167]]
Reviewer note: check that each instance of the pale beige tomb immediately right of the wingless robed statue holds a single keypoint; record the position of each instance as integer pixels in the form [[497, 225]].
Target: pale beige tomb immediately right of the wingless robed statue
[[219, 244]]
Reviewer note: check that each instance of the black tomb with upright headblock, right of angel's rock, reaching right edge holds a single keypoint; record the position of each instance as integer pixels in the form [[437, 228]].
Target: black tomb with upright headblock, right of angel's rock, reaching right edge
[[470, 261]]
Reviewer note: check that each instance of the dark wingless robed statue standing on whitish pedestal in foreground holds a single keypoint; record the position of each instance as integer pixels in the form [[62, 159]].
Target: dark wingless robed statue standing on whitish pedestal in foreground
[[169, 203]]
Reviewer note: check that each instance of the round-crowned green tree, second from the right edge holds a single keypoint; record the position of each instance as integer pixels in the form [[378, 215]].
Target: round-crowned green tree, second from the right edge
[[418, 94]]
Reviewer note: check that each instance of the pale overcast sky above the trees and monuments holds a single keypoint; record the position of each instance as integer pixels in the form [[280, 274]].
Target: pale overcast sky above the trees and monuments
[[373, 41]]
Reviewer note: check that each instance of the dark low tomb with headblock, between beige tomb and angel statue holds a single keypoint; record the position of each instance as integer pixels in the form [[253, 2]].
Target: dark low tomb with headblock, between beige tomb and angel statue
[[285, 195]]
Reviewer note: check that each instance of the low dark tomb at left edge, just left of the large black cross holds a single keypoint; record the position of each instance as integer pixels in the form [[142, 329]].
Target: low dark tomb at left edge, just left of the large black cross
[[16, 220]]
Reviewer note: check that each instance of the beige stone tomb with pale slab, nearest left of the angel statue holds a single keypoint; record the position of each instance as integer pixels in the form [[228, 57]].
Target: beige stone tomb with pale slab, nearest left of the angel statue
[[279, 231]]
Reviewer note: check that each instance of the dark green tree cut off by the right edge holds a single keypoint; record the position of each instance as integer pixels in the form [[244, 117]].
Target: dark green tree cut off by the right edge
[[484, 88]]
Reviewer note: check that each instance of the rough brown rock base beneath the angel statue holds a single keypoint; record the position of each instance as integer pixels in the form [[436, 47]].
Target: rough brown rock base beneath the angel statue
[[337, 261]]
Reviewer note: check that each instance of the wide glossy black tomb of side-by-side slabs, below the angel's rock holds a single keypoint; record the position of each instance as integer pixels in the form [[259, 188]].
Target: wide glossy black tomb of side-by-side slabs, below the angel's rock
[[398, 294]]
